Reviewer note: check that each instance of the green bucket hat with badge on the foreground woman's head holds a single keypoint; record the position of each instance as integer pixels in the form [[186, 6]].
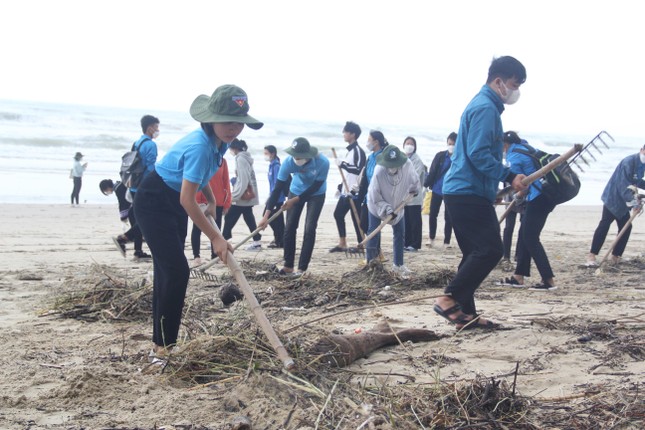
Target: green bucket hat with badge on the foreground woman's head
[[229, 103]]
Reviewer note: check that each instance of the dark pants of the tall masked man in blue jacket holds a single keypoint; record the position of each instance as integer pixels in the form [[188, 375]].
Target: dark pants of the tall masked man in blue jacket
[[477, 232]]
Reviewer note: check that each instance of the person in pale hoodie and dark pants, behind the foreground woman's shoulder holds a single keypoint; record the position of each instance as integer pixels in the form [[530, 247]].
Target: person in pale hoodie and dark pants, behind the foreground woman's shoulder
[[244, 194]]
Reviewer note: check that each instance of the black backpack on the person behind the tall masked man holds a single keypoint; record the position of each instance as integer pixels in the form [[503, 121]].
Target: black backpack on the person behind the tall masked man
[[560, 184]]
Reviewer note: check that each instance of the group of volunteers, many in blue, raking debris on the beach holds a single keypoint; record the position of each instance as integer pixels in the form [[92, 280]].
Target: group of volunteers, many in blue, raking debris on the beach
[[381, 187]]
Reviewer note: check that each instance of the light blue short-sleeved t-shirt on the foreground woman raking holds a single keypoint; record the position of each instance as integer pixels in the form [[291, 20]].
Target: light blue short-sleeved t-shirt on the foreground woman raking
[[194, 157]]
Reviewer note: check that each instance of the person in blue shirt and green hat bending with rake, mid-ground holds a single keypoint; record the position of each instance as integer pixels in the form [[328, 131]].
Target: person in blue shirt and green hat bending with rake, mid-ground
[[307, 169]]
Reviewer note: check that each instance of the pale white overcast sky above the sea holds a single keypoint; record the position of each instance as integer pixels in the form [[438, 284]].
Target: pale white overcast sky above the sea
[[403, 62]]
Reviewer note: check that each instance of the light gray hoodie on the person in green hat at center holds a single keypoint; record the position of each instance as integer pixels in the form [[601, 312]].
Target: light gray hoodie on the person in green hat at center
[[386, 192]]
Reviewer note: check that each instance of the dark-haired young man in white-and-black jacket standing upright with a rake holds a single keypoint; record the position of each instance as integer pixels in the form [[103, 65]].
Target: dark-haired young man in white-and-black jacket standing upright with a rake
[[352, 164]]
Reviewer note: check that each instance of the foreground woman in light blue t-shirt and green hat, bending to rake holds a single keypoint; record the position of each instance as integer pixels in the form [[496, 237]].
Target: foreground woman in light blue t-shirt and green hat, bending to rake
[[168, 196]]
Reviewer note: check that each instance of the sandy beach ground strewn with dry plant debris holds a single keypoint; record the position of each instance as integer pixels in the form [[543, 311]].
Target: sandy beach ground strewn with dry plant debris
[[563, 351]]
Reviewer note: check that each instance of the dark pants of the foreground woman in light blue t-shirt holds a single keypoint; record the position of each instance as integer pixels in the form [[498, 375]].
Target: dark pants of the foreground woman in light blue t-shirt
[[164, 223]]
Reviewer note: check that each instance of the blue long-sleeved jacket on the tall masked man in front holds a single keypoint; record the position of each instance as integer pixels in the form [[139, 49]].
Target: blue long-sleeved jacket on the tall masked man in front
[[477, 167]]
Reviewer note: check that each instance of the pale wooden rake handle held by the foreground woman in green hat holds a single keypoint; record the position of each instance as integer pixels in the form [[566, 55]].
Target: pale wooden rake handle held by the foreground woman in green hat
[[259, 314]]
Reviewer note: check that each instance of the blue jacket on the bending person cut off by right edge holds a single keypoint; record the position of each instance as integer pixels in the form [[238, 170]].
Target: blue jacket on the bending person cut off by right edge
[[628, 172]]
